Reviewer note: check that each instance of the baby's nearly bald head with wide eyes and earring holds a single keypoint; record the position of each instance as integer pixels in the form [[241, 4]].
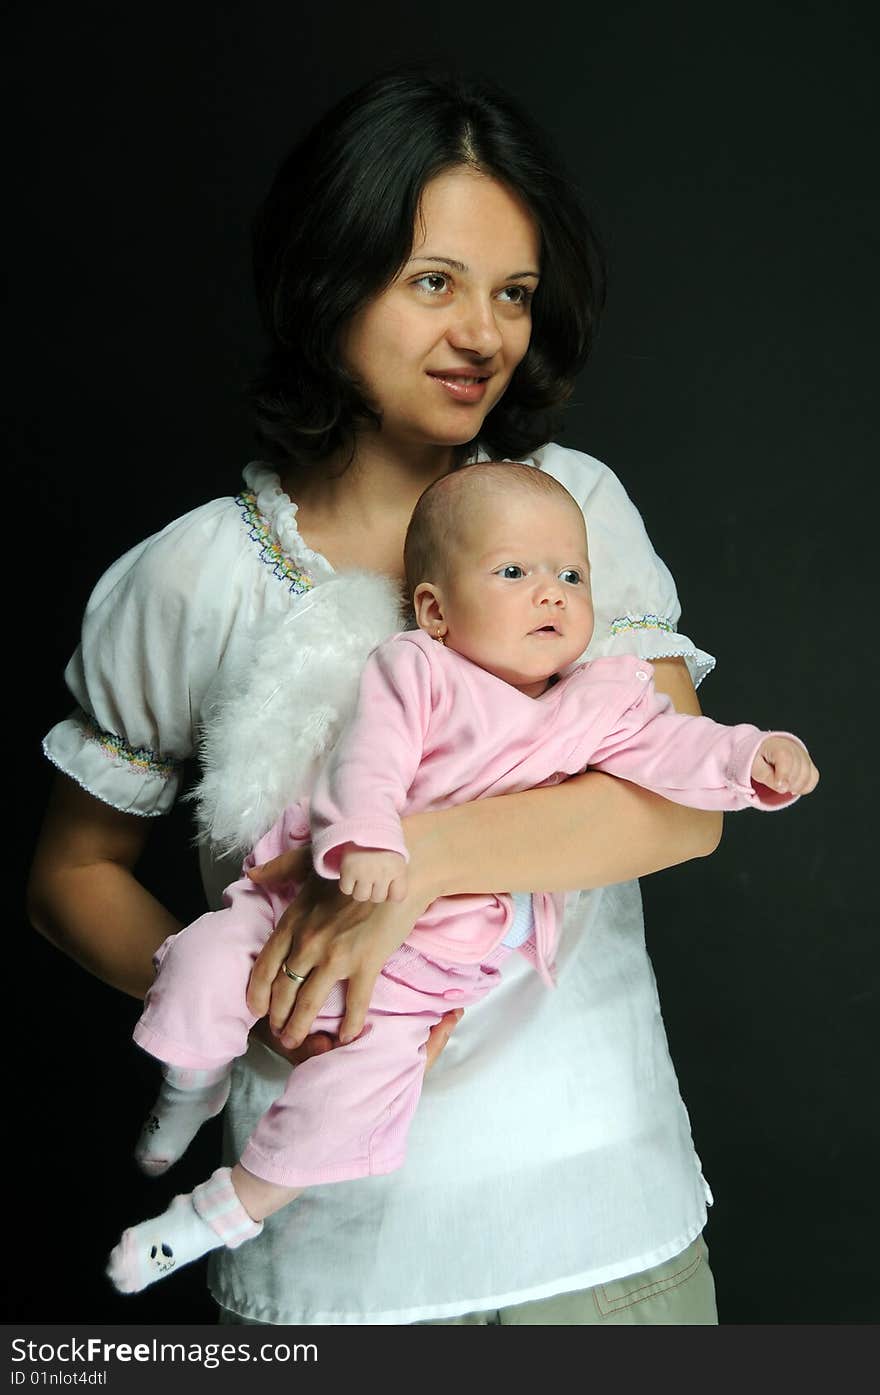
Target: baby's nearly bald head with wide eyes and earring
[[497, 567]]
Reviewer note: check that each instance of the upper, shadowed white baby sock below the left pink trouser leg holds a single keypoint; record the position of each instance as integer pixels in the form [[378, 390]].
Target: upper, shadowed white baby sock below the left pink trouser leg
[[186, 1101]]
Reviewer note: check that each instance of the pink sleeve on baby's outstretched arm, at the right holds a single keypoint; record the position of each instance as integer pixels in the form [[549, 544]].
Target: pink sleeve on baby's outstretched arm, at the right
[[691, 761]]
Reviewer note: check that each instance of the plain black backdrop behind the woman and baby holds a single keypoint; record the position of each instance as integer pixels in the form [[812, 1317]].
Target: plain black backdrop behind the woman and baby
[[727, 153]]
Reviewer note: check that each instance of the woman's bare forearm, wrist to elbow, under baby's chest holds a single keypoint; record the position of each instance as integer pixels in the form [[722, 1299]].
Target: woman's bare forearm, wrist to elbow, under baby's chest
[[589, 832]]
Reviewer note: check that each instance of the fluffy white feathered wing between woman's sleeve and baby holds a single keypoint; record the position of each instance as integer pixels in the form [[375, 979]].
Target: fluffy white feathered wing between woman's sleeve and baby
[[281, 708]]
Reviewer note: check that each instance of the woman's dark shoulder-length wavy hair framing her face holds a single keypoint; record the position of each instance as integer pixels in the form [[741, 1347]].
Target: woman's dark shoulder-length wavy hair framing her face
[[337, 228]]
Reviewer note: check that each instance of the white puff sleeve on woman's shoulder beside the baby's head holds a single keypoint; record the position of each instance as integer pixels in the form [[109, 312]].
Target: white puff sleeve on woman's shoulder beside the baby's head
[[634, 594]]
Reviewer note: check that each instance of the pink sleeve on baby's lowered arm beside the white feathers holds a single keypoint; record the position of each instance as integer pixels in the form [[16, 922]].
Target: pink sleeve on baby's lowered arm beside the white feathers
[[363, 787]]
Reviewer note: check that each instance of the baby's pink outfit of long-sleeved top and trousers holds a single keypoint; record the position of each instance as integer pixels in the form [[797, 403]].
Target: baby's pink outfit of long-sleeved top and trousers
[[432, 730]]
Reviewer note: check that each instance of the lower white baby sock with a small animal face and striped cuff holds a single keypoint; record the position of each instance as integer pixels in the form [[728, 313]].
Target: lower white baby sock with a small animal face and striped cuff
[[204, 1220]]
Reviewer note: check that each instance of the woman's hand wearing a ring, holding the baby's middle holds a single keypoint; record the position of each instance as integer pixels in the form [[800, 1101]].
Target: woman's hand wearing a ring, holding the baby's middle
[[326, 938]]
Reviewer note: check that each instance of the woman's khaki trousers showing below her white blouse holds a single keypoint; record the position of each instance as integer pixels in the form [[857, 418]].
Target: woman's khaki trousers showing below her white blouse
[[677, 1294]]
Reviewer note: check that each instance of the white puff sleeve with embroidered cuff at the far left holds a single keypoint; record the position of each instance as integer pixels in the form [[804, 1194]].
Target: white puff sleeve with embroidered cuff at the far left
[[154, 635]]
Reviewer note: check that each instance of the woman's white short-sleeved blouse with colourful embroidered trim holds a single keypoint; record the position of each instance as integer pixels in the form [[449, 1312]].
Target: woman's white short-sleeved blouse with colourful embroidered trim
[[552, 1150]]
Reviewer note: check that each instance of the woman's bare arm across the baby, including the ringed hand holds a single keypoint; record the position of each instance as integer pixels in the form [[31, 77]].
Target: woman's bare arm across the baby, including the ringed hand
[[589, 832]]
